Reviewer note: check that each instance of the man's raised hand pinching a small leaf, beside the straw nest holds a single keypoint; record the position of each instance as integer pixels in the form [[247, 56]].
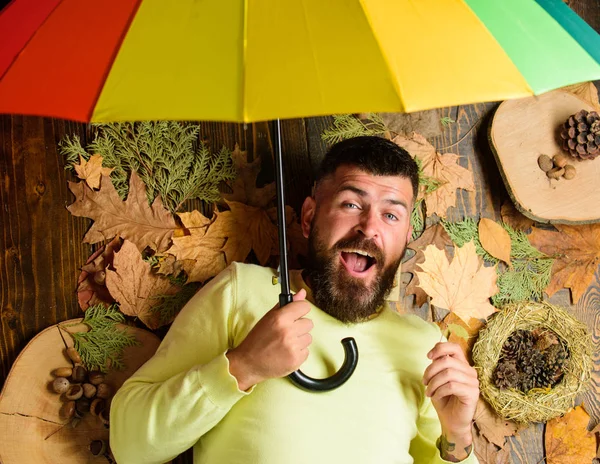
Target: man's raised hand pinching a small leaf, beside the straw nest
[[454, 390]]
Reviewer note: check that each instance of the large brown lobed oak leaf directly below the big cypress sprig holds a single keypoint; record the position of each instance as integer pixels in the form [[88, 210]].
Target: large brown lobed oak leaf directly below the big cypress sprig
[[133, 219]]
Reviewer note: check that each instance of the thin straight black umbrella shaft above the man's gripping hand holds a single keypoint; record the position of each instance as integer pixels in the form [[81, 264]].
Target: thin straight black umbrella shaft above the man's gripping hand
[[285, 296]]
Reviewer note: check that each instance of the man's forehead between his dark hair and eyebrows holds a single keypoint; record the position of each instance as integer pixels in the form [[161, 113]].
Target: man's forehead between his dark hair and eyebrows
[[346, 176]]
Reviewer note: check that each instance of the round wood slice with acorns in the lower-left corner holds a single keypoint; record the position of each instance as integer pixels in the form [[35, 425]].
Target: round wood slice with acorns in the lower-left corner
[[31, 430]]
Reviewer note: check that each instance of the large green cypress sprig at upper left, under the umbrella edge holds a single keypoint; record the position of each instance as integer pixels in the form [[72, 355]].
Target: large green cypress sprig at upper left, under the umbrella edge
[[167, 156]]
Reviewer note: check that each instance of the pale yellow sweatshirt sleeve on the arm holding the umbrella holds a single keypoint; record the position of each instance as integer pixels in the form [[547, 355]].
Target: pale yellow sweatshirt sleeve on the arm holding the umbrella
[[185, 389]]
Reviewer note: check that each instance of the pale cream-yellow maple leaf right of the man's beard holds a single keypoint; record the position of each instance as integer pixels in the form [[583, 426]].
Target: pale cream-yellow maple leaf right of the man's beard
[[463, 286]]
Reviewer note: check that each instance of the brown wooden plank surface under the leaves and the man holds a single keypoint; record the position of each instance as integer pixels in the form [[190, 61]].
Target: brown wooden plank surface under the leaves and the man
[[40, 242]]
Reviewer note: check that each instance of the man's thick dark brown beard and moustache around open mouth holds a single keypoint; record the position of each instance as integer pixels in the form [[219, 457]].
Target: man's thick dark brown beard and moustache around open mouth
[[339, 294]]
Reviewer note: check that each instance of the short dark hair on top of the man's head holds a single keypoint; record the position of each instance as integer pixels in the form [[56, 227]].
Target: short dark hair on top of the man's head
[[374, 155]]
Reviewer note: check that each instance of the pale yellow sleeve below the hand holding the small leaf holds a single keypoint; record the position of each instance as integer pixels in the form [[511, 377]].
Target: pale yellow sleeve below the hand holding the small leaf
[[423, 447]]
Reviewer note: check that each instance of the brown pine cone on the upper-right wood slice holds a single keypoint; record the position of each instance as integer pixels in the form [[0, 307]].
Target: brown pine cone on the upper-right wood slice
[[581, 135]]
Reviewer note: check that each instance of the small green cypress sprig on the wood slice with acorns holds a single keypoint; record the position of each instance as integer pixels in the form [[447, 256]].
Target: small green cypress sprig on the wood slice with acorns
[[102, 346]]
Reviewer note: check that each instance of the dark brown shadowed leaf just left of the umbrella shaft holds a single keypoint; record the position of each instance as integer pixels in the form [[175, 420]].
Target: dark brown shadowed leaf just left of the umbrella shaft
[[244, 185]]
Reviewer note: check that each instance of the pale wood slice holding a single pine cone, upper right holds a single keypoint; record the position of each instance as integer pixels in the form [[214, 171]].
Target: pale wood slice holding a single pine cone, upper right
[[522, 130]]
